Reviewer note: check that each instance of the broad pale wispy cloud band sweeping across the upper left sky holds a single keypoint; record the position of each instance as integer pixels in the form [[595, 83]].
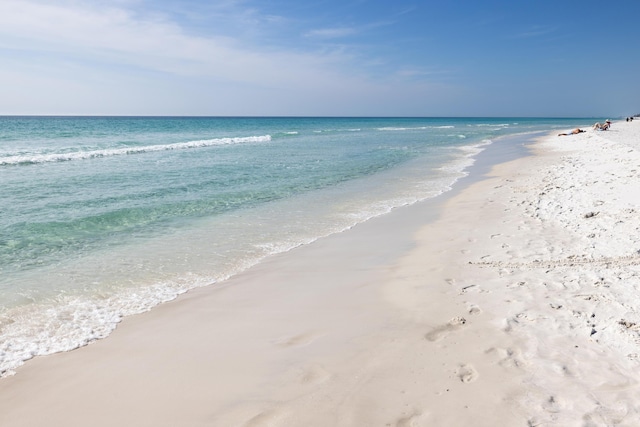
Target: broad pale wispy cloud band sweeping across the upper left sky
[[121, 36]]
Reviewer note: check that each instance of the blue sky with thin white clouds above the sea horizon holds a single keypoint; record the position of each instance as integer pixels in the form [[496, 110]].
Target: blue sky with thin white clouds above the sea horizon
[[537, 58]]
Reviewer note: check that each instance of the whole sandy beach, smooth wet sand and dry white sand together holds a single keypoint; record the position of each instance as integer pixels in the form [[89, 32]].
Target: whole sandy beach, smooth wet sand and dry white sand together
[[513, 301]]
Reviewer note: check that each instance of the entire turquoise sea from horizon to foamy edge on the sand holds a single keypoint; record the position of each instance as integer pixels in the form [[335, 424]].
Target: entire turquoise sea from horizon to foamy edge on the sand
[[102, 218]]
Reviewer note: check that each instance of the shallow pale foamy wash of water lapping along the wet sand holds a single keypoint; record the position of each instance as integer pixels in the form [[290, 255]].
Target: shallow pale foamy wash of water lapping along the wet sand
[[41, 328]]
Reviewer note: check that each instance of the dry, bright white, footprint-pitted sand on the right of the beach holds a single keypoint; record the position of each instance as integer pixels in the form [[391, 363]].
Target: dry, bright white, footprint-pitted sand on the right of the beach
[[553, 255]]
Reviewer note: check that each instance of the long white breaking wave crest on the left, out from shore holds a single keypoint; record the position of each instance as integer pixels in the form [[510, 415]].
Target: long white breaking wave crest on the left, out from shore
[[27, 159]]
